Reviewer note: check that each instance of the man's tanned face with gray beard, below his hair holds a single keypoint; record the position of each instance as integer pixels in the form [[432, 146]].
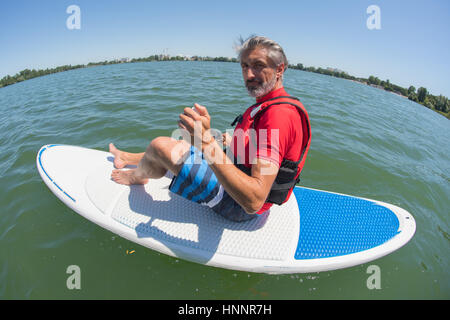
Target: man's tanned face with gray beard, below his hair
[[259, 72]]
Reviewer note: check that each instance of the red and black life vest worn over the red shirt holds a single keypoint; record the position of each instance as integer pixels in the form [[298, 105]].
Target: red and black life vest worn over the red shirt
[[289, 172]]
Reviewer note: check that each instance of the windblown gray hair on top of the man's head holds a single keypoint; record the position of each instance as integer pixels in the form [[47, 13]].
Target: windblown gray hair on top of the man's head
[[275, 52]]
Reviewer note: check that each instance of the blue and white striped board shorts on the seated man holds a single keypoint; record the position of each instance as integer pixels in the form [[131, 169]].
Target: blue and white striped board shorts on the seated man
[[197, 182]]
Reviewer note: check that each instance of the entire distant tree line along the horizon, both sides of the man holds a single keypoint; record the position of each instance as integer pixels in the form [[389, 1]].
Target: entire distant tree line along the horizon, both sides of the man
[[439, 103]]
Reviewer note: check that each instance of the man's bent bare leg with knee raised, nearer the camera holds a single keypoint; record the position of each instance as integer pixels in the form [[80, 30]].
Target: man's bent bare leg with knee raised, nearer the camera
[[163, 153]]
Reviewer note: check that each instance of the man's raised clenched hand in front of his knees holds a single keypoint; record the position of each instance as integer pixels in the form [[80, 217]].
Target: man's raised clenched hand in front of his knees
[[198, 123]]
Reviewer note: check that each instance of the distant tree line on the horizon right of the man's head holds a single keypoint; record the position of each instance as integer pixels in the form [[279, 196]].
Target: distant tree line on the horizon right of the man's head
[[439, 103]]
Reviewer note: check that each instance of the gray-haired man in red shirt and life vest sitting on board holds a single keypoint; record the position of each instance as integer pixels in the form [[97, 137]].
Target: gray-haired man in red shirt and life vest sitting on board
[[264, 168]]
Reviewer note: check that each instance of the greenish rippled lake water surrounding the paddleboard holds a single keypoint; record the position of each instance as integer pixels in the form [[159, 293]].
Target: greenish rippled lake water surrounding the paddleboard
[[365, 142]]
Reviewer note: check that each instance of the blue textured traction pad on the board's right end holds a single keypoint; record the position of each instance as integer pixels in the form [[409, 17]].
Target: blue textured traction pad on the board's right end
[[334, 225]]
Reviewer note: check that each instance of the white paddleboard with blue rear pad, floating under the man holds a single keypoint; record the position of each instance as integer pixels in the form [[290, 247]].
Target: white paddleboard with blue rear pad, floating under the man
[[313, 231]]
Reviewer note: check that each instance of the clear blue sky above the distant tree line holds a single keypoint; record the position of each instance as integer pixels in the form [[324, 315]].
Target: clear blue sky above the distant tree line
[[411, 48]]
